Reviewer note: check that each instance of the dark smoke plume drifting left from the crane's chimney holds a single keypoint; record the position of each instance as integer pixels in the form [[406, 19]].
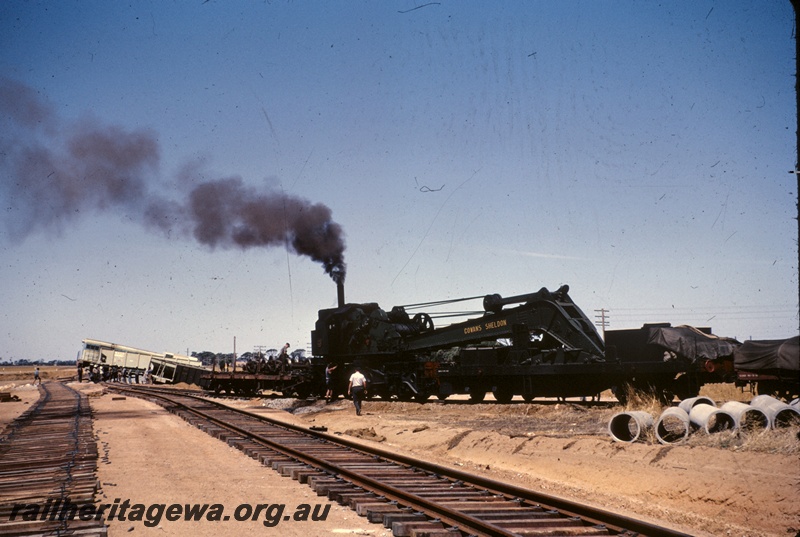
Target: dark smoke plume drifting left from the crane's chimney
[[53, 173]]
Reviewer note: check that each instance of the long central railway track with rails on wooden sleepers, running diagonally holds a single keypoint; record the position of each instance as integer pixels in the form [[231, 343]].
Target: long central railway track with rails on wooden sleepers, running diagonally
[[410, 496]]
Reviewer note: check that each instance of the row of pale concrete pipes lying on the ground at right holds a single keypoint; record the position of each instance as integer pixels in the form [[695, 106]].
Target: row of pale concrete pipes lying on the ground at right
[[676, 423]]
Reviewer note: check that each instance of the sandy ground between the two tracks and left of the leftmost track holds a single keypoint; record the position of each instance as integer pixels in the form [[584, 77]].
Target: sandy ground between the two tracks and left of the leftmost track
[[151, 457]]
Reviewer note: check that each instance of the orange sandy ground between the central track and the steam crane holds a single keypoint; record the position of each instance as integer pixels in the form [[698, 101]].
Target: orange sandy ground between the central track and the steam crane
[[565, 450]]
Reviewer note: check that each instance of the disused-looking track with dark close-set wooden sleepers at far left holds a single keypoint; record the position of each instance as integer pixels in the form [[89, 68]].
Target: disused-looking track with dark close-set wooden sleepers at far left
[[48, 467]]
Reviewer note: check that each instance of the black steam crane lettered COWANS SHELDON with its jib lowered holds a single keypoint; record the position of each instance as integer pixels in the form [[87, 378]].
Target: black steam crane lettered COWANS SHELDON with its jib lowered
[[521, 350]]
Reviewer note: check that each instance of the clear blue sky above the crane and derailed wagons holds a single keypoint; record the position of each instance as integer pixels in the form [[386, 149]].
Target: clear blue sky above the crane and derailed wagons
[[636, 151]]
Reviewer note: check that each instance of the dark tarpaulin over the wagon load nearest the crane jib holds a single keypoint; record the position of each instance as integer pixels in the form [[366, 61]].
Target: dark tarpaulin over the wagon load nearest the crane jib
[[691, 344]]
